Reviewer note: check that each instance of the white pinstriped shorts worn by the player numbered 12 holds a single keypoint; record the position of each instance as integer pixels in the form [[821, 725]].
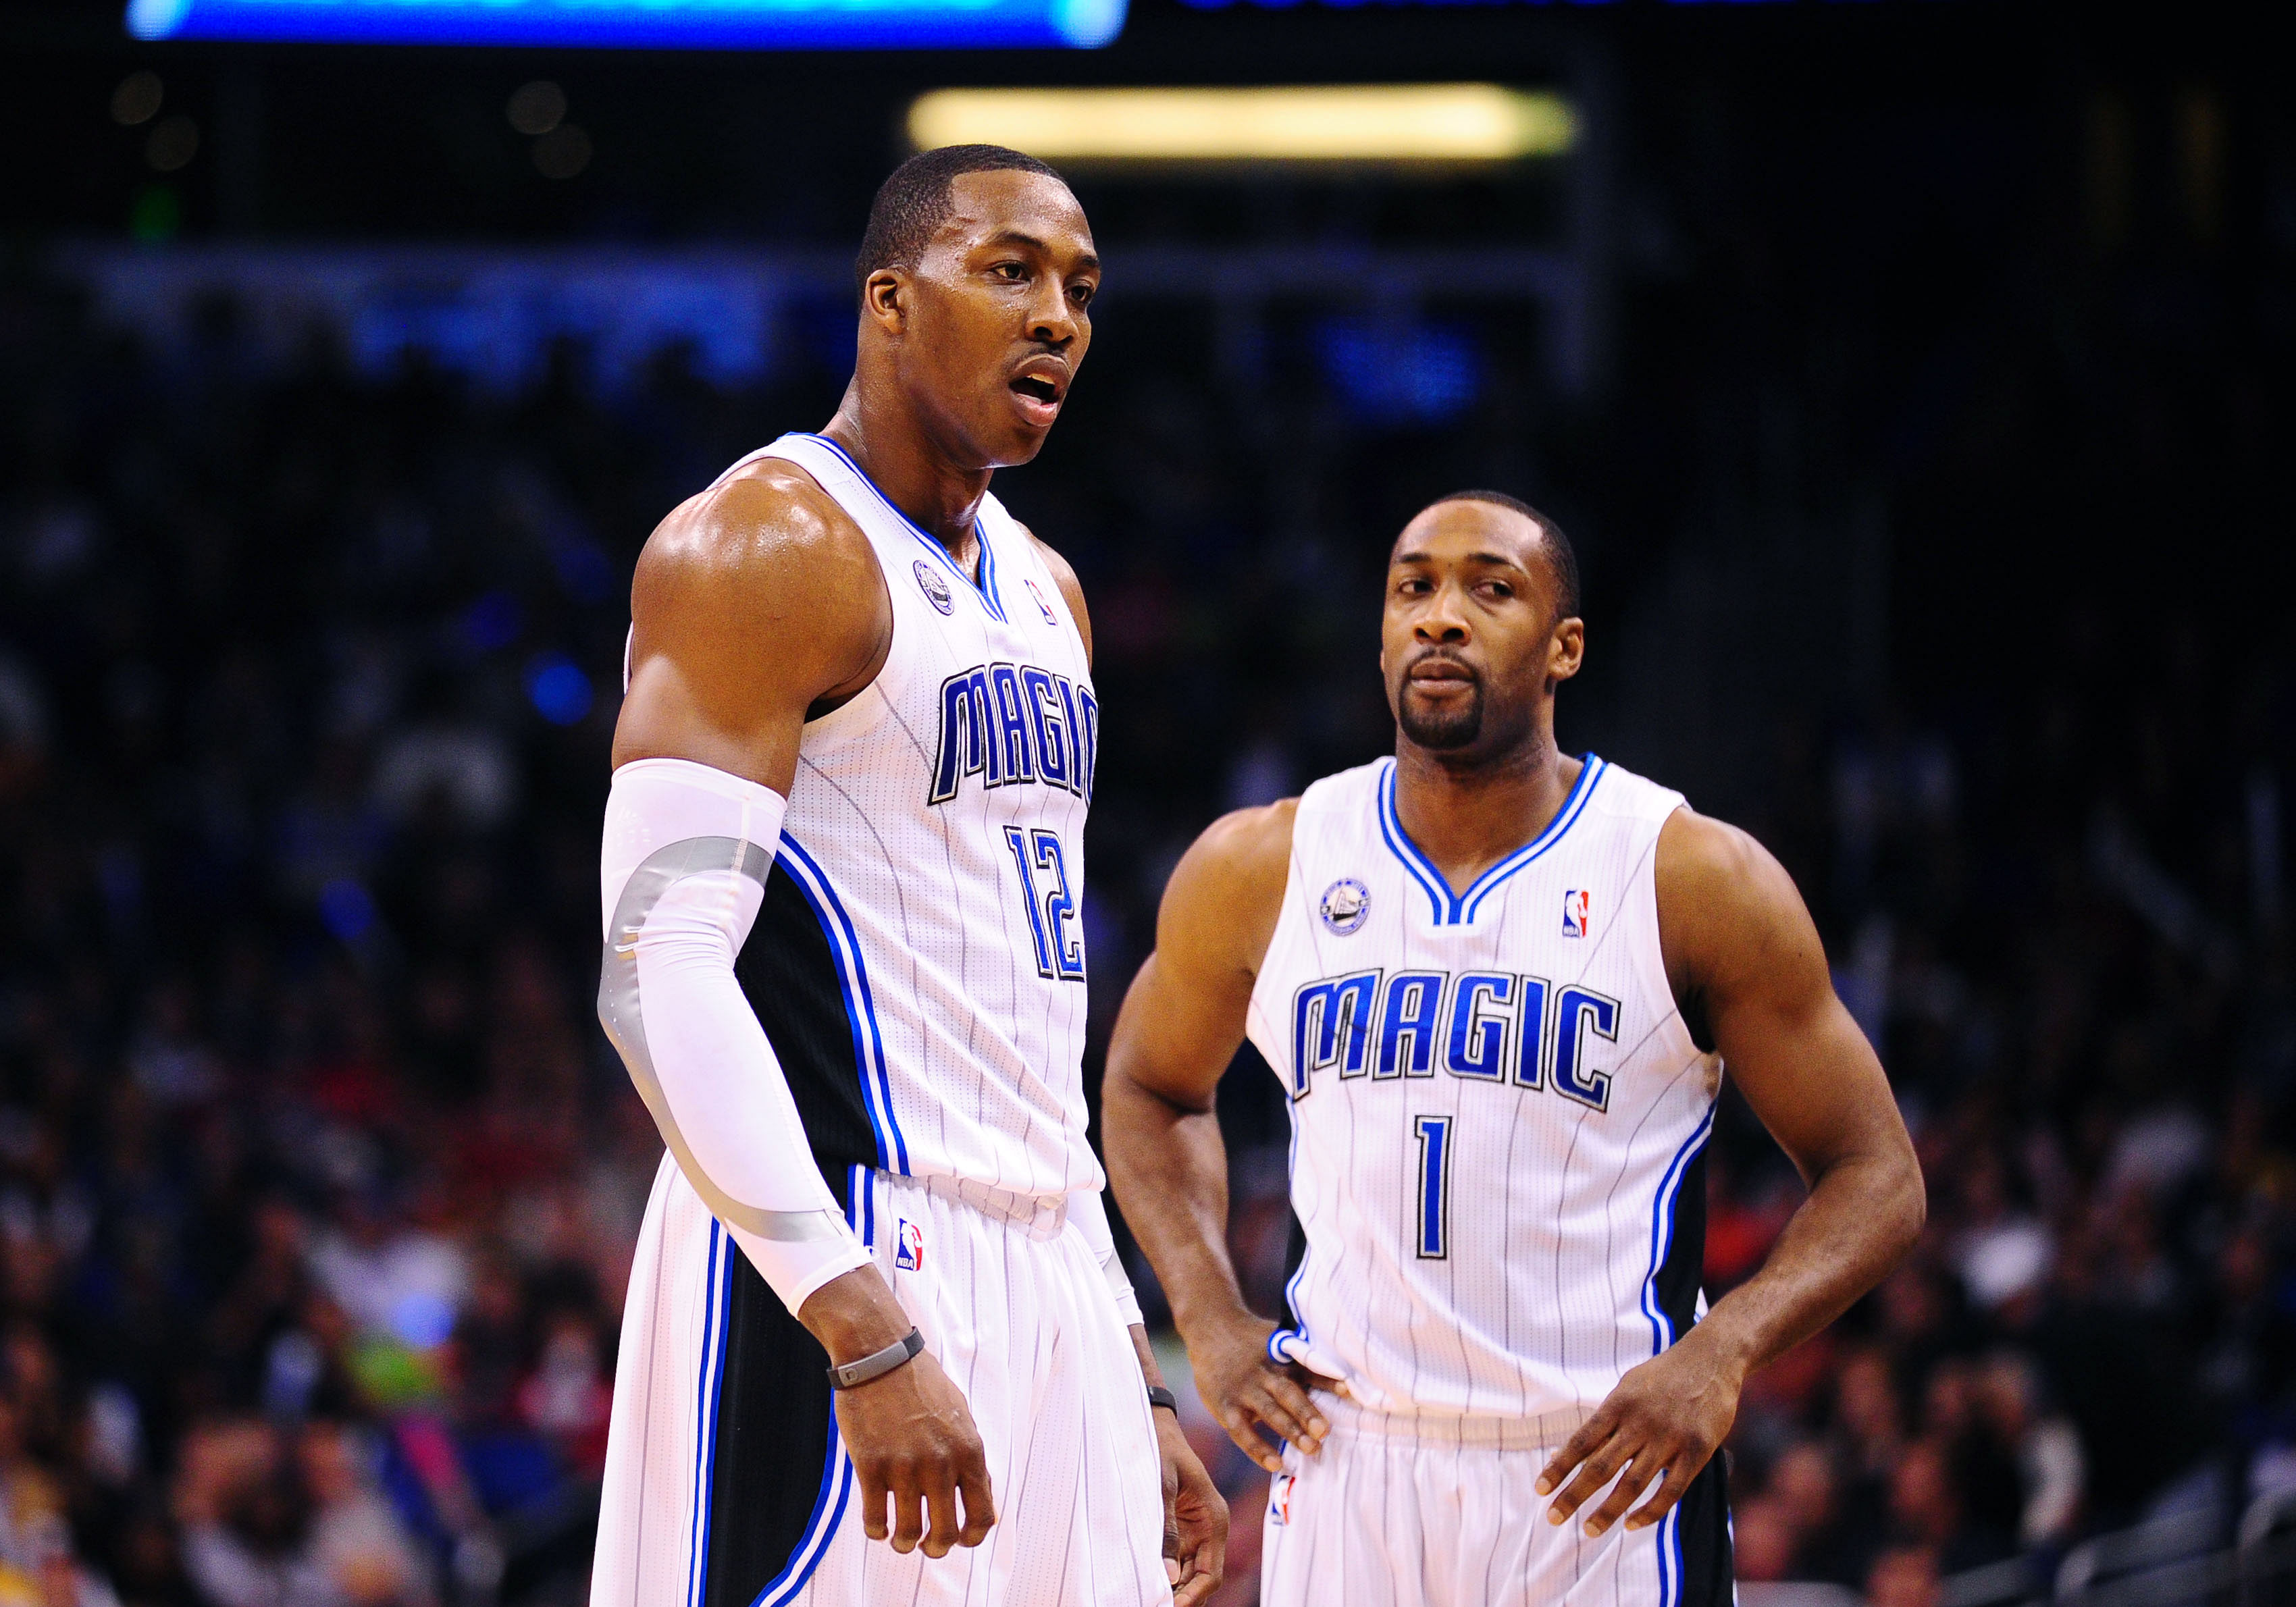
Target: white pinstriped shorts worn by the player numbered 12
[[727, 1484]]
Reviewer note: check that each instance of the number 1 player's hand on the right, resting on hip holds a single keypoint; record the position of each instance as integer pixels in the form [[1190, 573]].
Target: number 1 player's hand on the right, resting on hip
[[1666, 1418]]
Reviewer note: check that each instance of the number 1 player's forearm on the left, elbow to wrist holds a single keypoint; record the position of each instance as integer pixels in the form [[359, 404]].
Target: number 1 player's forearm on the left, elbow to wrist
[[1170, 1170]]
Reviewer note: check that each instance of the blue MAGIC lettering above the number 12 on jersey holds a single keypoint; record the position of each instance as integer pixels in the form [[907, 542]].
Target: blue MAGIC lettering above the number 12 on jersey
[[1016, 724]]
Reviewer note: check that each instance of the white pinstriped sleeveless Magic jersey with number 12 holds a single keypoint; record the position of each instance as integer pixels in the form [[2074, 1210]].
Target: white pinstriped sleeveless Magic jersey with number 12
[[920, 958]]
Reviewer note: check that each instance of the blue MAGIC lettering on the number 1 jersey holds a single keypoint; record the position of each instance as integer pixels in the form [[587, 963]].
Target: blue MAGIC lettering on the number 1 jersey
[[1489, 1027]]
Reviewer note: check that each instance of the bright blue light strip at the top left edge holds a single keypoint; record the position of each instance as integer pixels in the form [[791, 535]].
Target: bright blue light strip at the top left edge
[[669, 24]]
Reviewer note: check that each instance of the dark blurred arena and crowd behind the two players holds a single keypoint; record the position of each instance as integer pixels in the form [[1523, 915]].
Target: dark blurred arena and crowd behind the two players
[[1914, 378]]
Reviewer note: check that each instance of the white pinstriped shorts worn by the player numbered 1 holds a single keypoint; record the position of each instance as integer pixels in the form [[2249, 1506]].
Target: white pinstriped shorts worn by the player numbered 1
[[1386, 1516]]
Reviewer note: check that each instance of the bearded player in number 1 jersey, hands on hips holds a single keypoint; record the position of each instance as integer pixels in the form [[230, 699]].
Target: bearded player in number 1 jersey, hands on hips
[[1500, 988]]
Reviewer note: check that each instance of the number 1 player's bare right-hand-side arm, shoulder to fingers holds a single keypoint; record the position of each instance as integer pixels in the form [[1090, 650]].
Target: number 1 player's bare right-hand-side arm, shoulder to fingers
[[1746, 961]]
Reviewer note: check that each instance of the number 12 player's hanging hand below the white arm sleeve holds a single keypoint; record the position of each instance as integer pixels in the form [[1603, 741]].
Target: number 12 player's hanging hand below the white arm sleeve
[[910, 1436]]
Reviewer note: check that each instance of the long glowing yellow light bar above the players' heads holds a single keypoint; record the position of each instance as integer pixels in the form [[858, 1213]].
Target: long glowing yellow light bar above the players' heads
[[1443, 123]]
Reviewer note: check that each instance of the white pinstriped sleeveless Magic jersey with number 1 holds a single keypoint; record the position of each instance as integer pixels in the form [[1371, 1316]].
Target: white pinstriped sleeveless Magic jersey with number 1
[[1498, 1110]]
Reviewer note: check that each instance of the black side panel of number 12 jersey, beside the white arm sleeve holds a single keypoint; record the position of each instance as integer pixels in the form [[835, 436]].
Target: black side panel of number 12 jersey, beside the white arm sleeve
[[793, 984]]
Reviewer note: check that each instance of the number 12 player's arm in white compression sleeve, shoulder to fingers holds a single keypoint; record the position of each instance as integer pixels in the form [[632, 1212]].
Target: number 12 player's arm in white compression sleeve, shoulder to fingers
[[754, 607]]
